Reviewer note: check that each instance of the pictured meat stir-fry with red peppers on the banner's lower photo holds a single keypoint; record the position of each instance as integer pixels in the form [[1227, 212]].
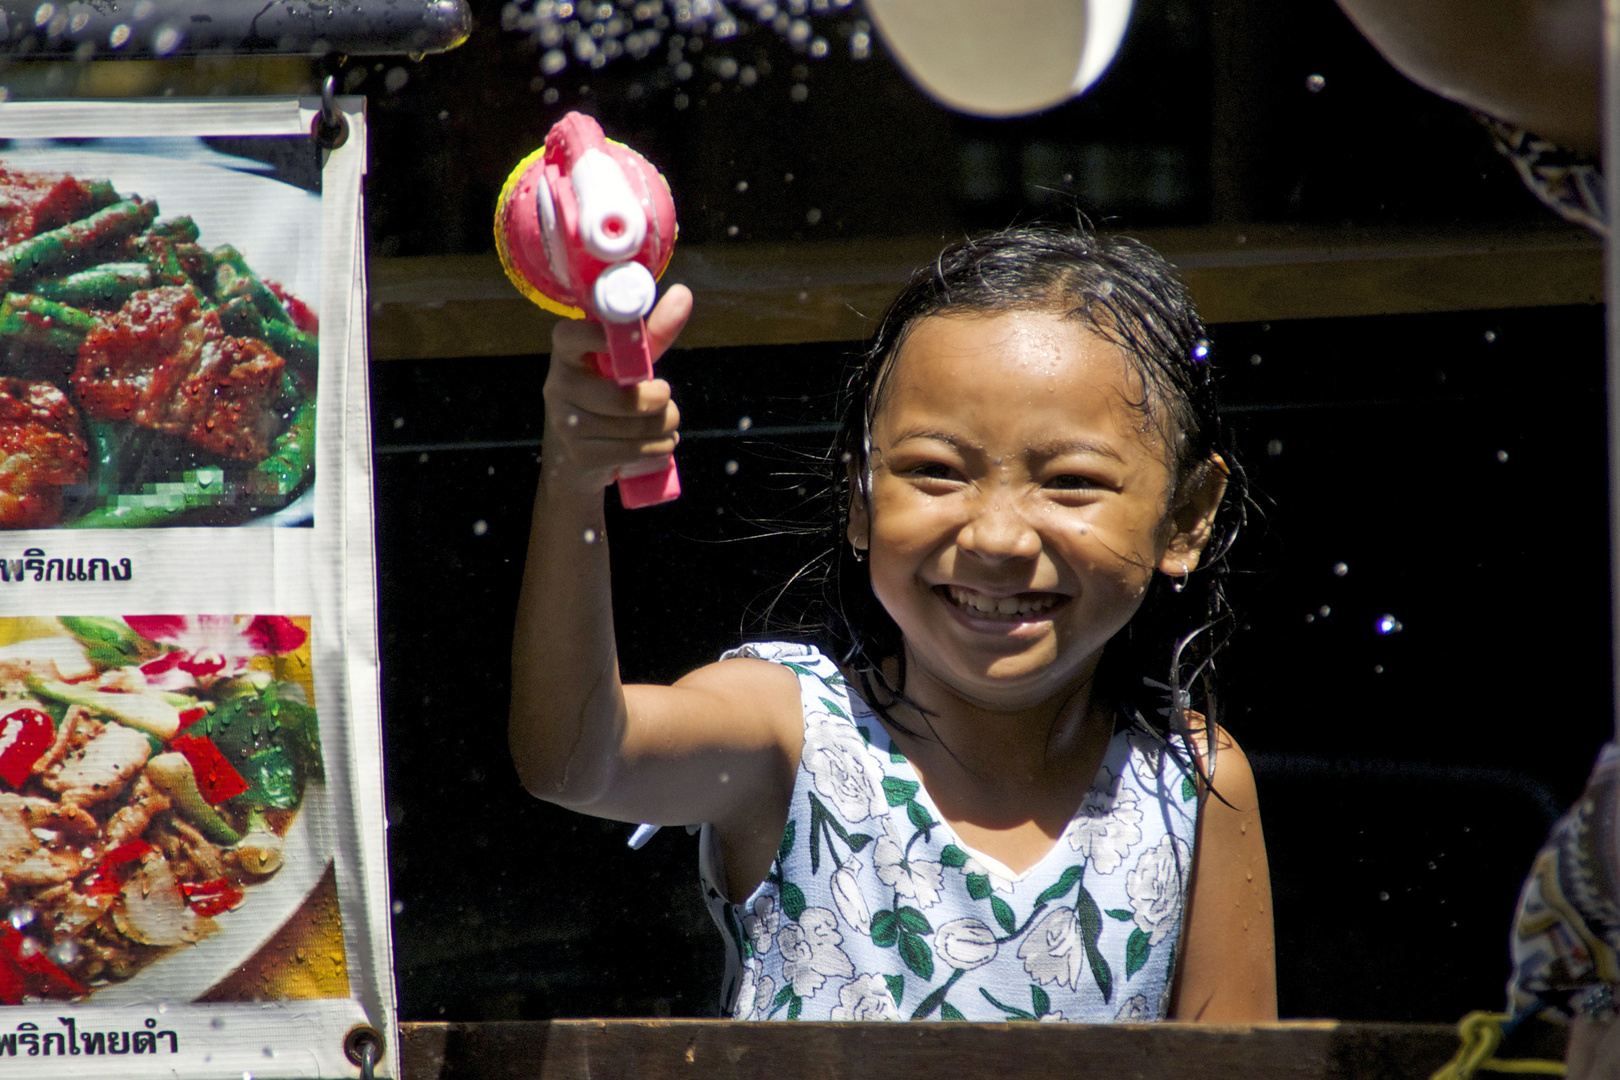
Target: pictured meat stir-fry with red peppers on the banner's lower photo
[[143, 793]]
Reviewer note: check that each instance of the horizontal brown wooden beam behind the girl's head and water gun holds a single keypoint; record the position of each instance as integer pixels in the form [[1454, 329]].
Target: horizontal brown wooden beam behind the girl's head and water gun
[[832, 291]]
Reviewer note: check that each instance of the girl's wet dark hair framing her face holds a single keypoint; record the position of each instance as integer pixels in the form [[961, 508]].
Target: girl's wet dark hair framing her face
[[1123, 291]]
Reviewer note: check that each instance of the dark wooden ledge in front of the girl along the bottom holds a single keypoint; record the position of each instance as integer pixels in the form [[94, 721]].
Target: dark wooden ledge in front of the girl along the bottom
[[714, 1050]]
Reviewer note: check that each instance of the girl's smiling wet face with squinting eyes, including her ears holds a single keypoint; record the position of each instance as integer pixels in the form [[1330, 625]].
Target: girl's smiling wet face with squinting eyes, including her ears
[[1020, 504]]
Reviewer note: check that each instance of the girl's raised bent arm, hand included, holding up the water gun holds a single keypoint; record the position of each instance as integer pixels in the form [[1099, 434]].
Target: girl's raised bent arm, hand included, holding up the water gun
[[709, 749]]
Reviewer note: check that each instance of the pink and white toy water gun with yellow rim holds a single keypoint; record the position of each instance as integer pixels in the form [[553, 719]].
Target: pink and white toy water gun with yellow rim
[[586, 227]]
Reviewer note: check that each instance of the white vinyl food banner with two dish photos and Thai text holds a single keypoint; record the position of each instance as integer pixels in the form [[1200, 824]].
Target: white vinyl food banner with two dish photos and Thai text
[[192, 835]]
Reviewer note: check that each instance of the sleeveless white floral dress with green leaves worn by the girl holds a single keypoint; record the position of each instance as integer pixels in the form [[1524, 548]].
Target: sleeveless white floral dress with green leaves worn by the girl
[[877, 911]]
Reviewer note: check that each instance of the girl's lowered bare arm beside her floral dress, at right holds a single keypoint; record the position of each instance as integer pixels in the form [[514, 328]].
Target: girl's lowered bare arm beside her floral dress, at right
[[1229, 963]]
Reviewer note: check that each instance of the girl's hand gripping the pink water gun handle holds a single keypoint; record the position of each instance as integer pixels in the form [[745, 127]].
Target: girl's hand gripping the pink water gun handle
[[595, 427]]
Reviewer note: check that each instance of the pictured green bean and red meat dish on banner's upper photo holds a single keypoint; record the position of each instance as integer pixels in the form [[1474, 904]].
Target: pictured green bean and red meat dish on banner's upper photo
[[143, 378]]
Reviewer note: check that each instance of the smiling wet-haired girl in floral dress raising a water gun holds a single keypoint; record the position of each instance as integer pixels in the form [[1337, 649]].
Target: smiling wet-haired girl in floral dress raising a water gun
[[978, 807]]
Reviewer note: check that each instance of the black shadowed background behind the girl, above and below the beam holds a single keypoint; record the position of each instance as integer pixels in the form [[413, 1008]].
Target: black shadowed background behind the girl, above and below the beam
[[1405, 778]]
